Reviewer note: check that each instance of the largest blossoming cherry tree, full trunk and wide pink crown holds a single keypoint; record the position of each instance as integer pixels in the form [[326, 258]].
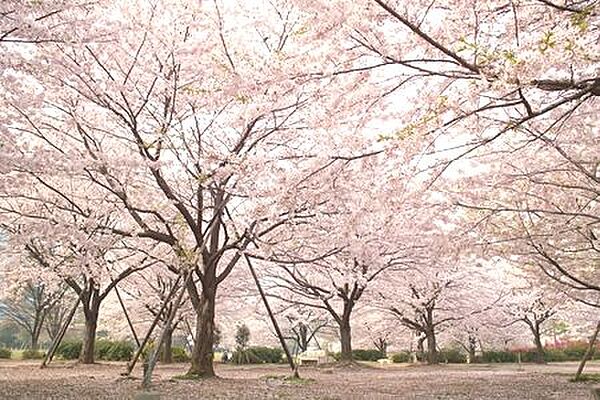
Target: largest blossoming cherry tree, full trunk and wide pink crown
[[180, 119]]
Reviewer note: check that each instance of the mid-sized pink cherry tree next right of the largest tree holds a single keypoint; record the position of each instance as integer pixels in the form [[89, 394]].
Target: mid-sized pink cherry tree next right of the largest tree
[[369, 223]]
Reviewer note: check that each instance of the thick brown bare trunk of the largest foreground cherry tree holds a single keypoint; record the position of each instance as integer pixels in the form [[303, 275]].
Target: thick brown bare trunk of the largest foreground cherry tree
[[202, 353]]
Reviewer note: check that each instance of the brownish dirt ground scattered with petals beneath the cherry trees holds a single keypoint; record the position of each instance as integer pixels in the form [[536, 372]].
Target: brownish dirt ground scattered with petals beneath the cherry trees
[[24, 380]]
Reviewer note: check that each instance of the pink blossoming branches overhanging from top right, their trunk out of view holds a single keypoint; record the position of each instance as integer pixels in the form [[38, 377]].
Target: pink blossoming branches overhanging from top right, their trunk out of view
[[477, 70]]
